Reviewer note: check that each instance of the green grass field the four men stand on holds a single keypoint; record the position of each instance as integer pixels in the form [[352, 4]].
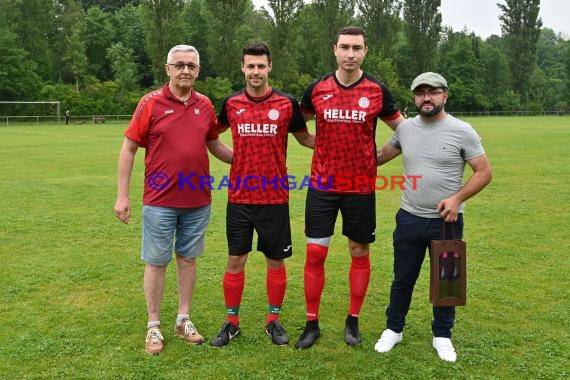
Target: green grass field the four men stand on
[[72, 305]]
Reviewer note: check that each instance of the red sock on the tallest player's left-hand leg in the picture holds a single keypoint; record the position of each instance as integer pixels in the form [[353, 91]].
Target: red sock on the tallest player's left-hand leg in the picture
[[314, 278]]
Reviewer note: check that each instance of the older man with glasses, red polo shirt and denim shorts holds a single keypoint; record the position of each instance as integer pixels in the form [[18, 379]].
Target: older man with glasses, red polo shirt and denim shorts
[[174, 124]]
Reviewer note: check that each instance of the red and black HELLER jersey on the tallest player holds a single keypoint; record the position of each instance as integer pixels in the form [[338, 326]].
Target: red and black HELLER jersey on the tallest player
[[346, 120]]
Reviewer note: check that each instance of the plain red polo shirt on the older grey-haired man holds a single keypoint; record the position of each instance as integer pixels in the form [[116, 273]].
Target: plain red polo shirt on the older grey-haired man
[[174, 135]]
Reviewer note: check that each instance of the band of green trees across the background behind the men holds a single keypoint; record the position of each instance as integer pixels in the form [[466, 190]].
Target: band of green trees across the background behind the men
[[99, 57]]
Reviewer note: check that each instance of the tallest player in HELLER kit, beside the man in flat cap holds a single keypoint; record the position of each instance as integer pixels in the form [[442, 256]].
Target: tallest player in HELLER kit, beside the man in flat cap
[[346, 105]]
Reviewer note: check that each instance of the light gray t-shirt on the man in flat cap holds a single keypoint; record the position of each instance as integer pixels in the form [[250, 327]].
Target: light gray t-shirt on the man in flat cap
[[437, 152]]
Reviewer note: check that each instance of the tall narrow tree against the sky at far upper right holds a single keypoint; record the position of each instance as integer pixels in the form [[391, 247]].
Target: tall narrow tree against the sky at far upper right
[[521, 29]]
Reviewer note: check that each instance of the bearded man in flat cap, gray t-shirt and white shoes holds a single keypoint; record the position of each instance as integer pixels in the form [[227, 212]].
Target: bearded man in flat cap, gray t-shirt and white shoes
[[435, 147]]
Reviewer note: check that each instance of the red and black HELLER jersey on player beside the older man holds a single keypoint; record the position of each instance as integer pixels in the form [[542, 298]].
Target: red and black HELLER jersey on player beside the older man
[[260, 129]]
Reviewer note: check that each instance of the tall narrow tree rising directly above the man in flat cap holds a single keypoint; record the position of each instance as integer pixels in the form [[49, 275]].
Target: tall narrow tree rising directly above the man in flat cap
[[422, 29]]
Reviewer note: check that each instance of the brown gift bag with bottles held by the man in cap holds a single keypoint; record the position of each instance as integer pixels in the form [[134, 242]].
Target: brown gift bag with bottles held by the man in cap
[[448, 270]]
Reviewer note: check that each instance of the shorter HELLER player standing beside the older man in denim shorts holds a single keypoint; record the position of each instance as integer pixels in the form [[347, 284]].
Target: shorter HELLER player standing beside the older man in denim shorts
[[260, 119]]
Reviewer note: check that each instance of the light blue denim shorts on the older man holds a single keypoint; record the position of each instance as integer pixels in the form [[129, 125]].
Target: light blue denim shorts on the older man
[[161, 225]]
